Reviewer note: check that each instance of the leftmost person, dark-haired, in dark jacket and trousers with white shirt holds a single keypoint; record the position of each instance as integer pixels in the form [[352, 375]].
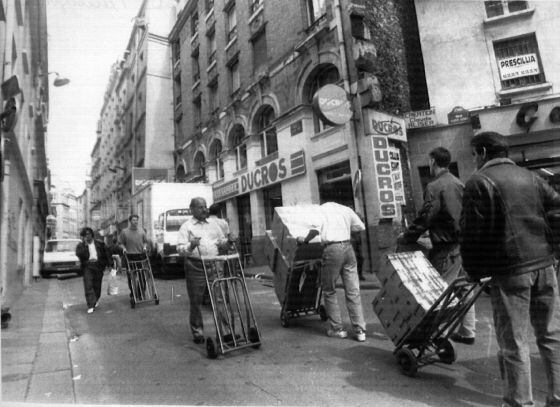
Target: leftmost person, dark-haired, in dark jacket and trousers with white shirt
[[93, 256]]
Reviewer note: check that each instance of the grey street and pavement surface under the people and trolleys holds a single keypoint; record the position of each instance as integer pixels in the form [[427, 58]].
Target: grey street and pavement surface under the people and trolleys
[[119, 355]]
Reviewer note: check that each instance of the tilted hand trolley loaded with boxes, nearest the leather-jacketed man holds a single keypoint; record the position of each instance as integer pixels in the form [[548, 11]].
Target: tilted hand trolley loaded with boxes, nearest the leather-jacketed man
[[420, 311]]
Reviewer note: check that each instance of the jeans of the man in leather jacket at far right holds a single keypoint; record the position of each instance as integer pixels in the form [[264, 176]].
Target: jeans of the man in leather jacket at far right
[[517, 301]]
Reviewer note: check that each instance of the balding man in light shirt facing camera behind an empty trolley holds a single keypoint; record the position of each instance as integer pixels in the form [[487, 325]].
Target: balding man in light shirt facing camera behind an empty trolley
[[200, 237]]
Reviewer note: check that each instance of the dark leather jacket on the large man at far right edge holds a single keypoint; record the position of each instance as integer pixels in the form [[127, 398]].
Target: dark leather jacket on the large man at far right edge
[[504, 224]]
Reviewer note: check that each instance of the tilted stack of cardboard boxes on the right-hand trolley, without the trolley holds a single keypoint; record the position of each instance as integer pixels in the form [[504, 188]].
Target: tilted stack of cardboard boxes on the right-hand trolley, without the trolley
[[410, 287]]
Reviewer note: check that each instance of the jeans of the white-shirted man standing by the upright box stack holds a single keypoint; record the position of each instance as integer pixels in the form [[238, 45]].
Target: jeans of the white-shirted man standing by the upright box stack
[[339, 260]]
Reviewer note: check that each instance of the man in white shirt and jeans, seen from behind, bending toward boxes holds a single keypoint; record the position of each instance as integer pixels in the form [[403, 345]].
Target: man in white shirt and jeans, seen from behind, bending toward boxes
[[339, 260]]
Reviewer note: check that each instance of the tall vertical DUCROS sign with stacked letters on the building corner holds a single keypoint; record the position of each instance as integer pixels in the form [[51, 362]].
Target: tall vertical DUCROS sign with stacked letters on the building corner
[[383, 176]]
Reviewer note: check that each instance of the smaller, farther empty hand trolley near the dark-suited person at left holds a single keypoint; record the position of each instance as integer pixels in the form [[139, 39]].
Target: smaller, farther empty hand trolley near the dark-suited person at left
[[140, 278]]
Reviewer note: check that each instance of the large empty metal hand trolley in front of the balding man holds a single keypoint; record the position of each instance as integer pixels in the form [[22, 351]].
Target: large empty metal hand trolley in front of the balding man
[[234, 319]]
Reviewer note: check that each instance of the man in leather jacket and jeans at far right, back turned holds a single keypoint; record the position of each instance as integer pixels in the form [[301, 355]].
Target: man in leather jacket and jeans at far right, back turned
[[505, 235]]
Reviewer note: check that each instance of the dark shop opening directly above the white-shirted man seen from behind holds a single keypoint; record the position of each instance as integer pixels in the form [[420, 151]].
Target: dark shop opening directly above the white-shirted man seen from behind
[[335, 184]]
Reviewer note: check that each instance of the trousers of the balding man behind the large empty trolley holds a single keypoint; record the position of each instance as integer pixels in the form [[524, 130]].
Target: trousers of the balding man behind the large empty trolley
[[196, 284]]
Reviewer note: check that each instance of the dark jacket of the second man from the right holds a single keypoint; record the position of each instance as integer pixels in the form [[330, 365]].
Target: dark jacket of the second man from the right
[[441, 211]]
